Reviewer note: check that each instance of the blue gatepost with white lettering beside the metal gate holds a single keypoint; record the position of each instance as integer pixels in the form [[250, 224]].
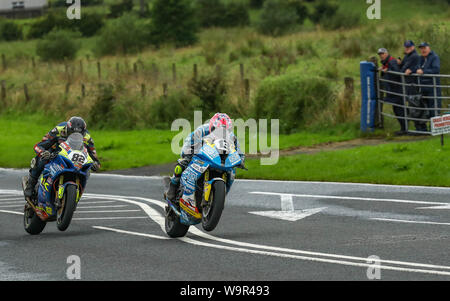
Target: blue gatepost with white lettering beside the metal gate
[[369, 96]]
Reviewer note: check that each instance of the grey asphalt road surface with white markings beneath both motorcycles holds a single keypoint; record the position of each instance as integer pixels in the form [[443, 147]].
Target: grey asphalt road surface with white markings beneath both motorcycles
[[117, 233]]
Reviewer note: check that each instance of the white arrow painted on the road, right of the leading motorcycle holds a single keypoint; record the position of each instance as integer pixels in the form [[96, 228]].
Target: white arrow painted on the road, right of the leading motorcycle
[[287, 210]]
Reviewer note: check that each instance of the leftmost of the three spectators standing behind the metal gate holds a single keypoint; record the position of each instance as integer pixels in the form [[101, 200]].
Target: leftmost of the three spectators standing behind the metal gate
[[390, 64]]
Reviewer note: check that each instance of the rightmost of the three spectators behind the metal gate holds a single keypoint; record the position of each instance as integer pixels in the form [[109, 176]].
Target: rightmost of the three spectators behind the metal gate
[[430, 64]]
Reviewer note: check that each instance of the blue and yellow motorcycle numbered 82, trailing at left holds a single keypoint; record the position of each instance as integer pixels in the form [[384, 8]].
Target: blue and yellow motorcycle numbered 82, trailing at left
[[59, 188]]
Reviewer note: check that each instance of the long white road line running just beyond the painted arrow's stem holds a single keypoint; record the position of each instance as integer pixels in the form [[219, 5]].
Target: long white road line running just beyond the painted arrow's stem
[[349, 198]]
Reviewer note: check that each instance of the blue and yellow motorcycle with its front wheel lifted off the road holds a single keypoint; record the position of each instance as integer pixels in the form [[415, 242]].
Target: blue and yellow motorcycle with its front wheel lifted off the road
[[204, 186]]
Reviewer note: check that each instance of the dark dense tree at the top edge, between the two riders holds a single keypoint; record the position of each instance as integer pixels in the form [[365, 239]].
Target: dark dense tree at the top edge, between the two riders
[[174, 21]]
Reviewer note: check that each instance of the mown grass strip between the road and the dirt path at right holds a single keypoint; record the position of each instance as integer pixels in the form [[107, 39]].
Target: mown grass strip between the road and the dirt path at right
[[407, 163]]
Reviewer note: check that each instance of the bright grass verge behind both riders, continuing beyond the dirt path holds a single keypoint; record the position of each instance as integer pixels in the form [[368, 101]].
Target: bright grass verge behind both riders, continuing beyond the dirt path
[[121, 149]]
